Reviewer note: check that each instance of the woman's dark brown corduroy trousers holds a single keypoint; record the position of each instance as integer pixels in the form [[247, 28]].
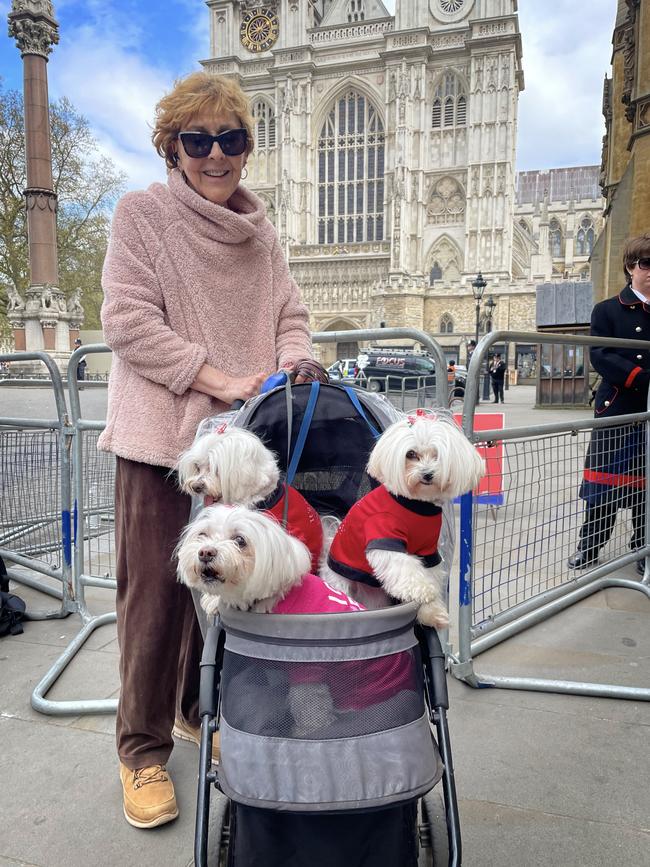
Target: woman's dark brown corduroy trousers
[[157, 628]]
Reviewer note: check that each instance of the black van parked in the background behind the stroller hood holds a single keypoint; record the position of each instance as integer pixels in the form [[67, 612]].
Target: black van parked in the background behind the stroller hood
[[395, 369]]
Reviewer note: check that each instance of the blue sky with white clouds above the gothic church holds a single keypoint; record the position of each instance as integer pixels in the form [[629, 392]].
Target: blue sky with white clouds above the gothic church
[[116, 58]]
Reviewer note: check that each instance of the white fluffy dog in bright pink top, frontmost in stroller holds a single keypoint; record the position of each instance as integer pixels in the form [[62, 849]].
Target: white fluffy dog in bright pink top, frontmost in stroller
[[245, 559]]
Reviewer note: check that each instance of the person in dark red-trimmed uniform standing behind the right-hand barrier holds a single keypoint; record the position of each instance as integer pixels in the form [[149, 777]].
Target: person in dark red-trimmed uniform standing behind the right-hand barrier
[[614, 475]]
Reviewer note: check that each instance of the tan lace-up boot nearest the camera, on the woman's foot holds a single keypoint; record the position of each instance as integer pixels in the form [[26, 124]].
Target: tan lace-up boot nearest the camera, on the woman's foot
[[149, 798]]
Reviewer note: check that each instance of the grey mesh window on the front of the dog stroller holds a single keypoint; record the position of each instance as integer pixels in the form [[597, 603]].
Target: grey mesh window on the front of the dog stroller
[[321, 700]]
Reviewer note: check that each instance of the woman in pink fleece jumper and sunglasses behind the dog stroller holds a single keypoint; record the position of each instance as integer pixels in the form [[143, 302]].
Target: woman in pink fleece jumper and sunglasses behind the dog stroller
[[199, 309]]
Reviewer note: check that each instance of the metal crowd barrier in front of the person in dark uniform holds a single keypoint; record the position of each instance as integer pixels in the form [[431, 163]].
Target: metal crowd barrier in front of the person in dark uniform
[[513, 571]]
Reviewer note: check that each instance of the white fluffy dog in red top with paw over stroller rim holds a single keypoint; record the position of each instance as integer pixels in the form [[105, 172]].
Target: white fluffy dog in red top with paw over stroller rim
[[387, 545]]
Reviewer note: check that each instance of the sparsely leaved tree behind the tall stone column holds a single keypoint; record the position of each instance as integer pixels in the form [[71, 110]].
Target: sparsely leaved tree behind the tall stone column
[[87, 185]]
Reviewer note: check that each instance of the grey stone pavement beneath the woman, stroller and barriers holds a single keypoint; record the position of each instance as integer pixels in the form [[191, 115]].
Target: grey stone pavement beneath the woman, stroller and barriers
[[541, 778]]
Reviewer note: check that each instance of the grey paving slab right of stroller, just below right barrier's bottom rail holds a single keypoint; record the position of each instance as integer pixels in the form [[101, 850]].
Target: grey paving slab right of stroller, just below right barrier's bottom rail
[[576, 766]]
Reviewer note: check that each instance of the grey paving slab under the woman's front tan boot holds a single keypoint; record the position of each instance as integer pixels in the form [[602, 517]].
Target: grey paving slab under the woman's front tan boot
[[67, 810]]
